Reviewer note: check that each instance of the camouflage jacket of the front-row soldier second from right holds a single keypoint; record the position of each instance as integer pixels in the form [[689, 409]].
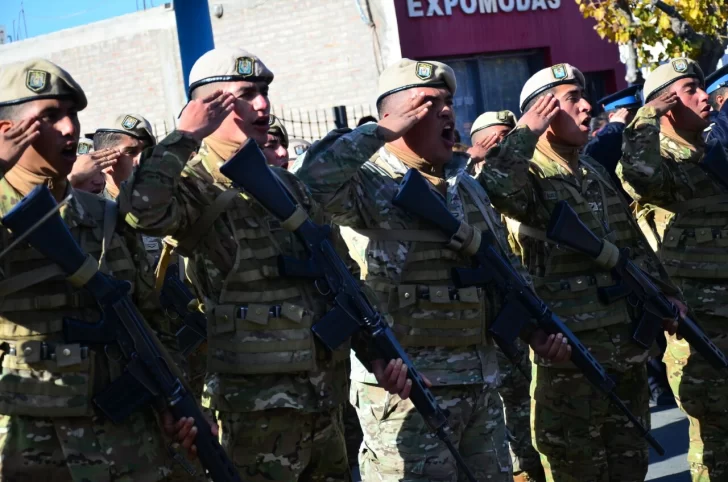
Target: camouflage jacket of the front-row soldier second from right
[[525, 185]]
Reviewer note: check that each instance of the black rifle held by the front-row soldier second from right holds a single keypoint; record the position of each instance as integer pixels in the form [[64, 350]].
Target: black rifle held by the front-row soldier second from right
[[567, 229]]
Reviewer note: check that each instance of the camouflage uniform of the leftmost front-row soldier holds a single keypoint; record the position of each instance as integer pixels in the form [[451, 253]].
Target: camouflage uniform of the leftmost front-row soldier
[[49, 429]]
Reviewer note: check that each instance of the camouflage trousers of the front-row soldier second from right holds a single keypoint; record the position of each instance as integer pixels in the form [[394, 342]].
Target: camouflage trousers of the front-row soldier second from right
[[581, 437]]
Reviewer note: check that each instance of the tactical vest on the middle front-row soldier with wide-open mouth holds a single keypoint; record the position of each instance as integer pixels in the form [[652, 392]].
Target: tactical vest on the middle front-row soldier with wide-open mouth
[[426, 309]]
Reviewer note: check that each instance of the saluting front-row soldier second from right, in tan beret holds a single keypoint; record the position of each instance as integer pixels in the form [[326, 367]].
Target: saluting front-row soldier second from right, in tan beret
[[580, 436]]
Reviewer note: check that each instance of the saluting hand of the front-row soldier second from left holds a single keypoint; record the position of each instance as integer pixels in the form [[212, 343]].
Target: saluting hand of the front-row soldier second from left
[[202, 117]]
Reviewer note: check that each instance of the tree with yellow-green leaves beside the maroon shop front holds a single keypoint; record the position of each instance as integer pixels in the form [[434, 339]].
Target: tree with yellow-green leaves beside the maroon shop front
[[693, 28]]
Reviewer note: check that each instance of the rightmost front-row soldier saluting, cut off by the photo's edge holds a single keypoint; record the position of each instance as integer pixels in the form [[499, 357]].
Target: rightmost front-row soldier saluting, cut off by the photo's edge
[[683, 213]]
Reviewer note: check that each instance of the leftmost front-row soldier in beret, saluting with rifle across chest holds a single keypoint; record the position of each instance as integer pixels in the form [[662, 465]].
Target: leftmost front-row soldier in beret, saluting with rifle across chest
[[50, 429]]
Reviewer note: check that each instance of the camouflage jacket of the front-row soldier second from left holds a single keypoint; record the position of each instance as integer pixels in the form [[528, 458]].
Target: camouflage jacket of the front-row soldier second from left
[[165, 197]]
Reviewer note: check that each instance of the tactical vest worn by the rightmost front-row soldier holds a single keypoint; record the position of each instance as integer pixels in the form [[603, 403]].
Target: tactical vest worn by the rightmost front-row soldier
[[691, 236]]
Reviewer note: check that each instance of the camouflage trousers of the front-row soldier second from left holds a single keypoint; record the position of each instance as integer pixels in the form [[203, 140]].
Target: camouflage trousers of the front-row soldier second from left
[[286, 445]]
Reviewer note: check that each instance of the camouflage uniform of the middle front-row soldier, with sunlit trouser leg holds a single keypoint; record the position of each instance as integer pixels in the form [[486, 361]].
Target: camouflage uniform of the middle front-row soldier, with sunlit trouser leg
[[442, 329]]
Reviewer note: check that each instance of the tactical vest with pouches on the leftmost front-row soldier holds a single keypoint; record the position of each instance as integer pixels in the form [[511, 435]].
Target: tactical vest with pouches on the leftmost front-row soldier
[[41, 374]]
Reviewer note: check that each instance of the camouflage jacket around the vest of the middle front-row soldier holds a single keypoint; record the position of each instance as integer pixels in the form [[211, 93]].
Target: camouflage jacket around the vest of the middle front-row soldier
[[357, 193]]
